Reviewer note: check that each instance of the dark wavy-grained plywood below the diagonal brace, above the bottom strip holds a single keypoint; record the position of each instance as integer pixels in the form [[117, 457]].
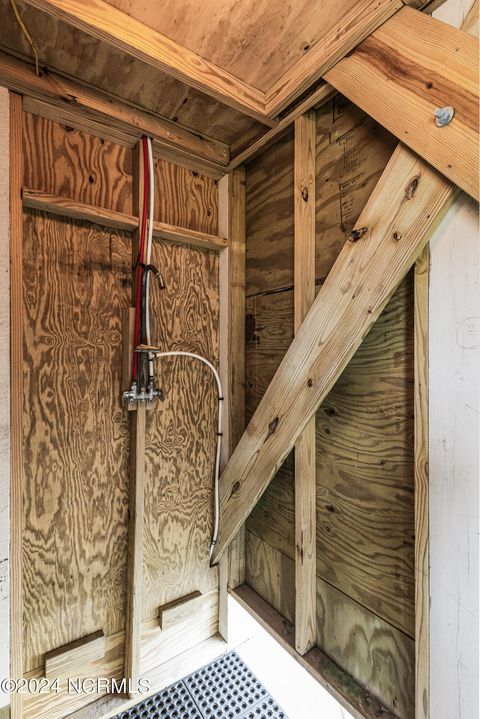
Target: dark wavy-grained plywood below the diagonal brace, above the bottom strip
[[365, 489]]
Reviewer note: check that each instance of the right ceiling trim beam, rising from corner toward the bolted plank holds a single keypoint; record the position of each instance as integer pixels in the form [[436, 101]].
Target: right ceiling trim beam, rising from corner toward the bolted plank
[[359, 21]]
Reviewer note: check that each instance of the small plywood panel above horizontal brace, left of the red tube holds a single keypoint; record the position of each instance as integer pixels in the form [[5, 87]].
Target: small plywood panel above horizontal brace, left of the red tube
[[74, 164]]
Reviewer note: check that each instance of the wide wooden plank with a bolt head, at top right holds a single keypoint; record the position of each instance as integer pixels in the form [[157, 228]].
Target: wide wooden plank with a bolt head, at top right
[[406, 69]]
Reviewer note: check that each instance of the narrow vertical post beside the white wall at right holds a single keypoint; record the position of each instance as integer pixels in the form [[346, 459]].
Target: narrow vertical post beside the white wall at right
[[422, 589]]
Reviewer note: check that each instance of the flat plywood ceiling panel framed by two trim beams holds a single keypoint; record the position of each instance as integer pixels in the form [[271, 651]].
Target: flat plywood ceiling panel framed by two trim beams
[[255, 40]]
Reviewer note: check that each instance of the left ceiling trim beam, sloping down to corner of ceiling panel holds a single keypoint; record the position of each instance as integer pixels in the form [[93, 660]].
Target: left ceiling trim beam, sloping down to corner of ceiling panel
[[122, 31]]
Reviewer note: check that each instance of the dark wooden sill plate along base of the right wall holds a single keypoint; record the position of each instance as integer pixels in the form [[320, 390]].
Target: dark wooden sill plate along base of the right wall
[[352, 696]]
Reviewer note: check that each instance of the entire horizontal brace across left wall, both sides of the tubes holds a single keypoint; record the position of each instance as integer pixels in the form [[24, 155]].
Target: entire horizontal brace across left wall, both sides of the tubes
[[65, 207]]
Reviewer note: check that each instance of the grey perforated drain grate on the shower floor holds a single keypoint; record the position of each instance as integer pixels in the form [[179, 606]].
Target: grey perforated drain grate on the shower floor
[[224, 689]]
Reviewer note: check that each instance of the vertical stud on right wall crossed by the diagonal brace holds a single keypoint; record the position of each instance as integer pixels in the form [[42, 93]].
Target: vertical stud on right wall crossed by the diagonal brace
[[305, 485]]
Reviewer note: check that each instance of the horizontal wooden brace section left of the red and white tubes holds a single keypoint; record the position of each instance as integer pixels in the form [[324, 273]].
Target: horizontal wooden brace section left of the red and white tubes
[[65, 207]]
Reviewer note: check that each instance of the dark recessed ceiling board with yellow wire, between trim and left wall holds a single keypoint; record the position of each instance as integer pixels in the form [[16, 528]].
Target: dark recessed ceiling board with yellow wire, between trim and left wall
[[76, 54]]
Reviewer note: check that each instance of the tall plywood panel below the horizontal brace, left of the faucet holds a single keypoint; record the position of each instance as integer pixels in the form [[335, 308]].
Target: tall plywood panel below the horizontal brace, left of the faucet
[[76, 285]]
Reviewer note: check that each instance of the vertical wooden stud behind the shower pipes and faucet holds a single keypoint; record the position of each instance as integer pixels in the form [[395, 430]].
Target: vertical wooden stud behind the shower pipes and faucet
[[136, 519]]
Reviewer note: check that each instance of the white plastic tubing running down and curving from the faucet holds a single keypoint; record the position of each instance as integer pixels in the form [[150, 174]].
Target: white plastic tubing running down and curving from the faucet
[[216, 500]]
